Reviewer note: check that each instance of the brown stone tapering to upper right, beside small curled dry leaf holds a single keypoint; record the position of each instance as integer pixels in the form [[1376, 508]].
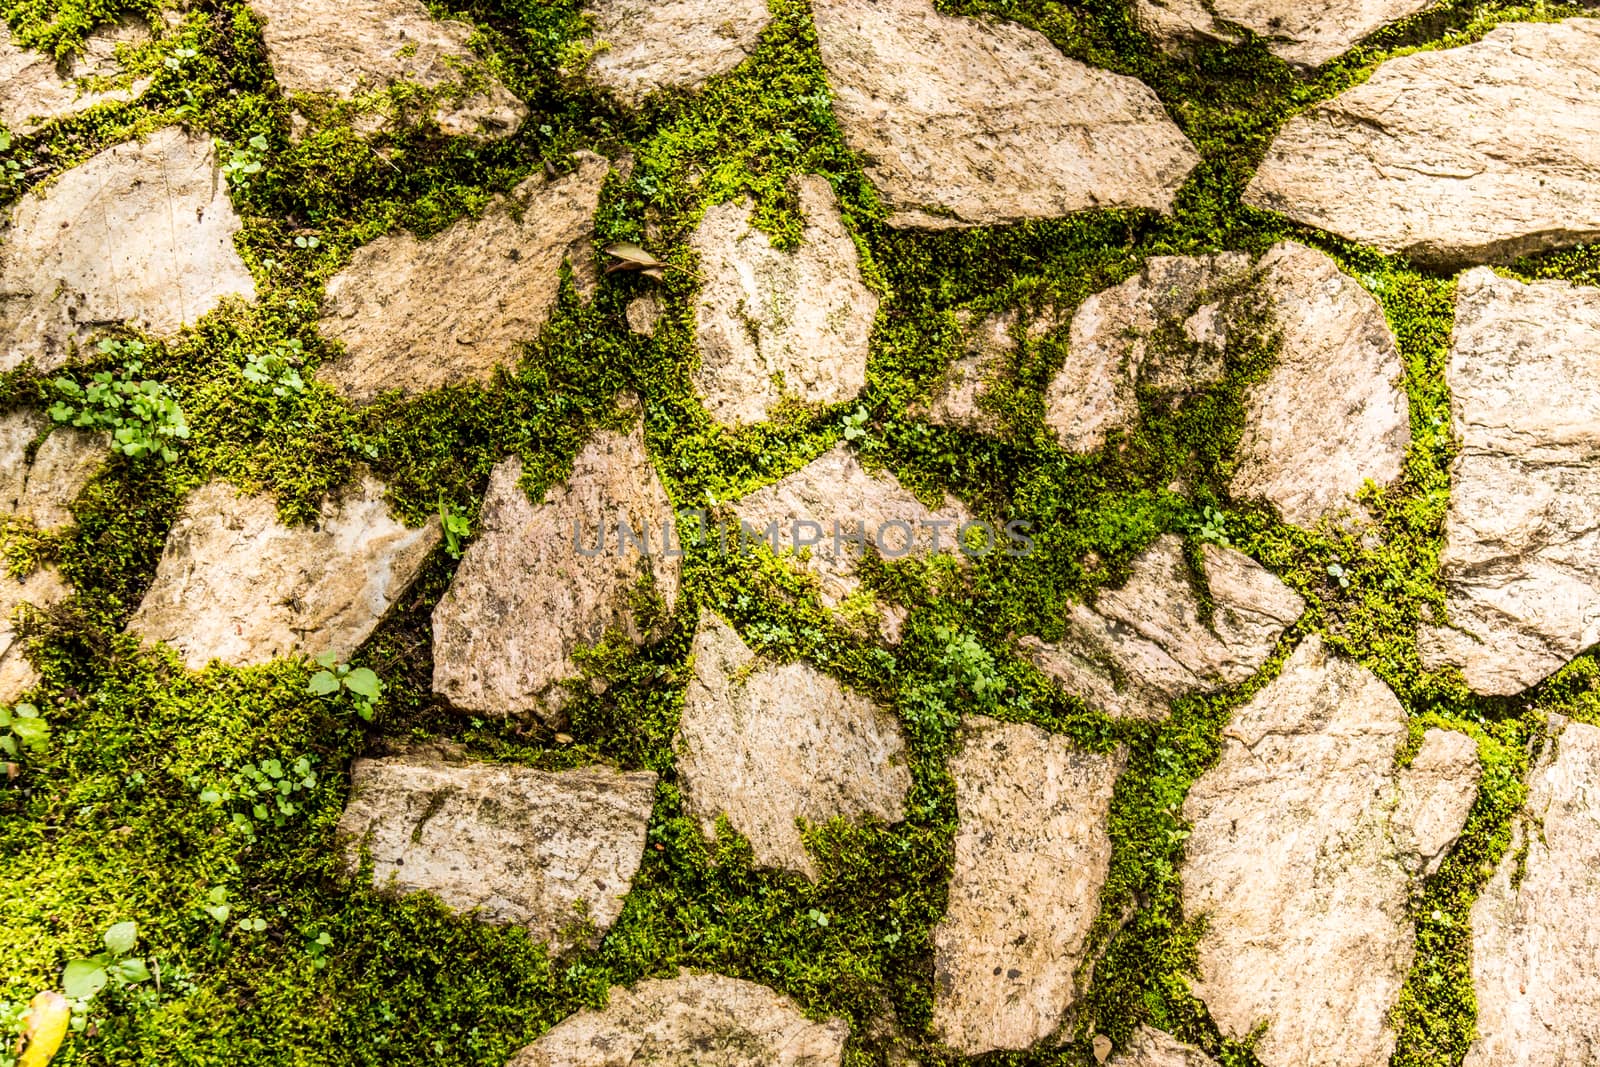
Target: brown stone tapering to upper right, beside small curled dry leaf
[[423, 314]]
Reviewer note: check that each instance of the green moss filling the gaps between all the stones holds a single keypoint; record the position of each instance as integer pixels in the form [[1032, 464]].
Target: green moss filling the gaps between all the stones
[[106, 825]]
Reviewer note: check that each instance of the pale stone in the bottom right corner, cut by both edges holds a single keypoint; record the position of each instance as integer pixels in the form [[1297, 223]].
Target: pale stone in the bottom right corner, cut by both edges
[[1535, 941]]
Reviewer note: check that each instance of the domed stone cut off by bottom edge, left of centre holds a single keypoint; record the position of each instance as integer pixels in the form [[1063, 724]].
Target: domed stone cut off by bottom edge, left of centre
[[690, 1021]]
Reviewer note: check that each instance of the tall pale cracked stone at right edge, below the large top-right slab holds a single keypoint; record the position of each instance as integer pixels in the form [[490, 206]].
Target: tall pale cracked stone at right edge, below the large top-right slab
[[1522, 556]]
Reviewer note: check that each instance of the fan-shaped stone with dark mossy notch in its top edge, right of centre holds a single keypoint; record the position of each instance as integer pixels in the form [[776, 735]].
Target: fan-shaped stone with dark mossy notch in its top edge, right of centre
[[1138, 649]]
